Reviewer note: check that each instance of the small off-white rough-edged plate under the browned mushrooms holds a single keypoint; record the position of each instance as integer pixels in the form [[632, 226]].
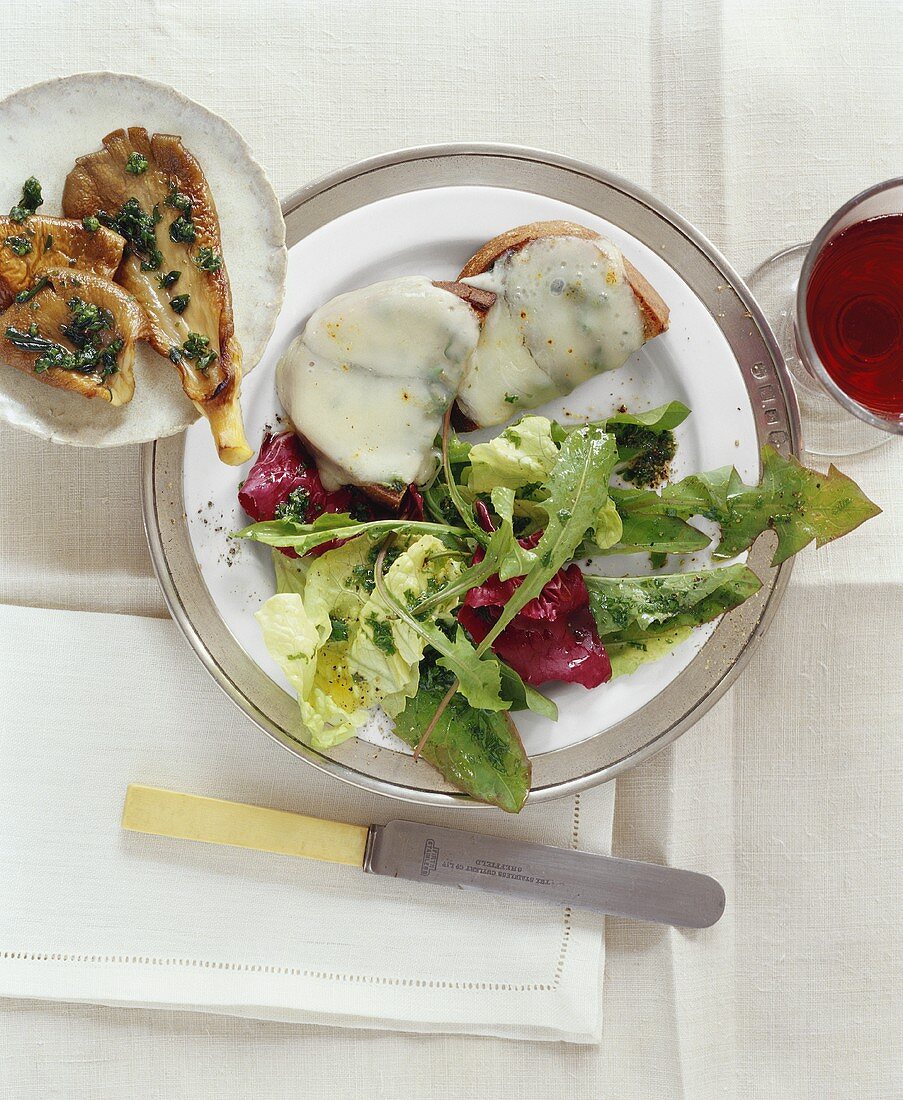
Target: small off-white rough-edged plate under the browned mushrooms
[[43, 129]]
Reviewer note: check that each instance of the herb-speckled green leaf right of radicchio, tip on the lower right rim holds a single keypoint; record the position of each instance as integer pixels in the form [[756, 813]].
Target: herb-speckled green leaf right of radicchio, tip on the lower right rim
[[626, 609]]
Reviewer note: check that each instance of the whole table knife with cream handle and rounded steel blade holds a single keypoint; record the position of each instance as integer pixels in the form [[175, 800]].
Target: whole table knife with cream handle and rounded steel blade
[[433, 854]]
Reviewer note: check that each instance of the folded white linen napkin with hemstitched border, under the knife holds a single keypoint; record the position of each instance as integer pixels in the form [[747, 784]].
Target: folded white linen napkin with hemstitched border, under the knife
[[89, 912]]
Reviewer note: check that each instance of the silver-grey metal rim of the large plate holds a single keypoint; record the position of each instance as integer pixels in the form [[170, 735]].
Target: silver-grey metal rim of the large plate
[[724, 656]]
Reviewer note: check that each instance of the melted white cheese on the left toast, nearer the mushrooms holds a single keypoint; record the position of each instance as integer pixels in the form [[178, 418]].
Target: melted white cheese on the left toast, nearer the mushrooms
[[369, 381]]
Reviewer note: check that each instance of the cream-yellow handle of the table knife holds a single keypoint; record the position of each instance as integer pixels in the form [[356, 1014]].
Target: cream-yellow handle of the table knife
[[195, 818]]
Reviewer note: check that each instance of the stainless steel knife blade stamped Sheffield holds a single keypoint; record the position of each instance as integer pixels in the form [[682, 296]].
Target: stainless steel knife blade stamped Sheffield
[[621, 887]]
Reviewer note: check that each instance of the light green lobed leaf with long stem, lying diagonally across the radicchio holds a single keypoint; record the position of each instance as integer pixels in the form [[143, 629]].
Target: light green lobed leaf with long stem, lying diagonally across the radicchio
[[578, 491]]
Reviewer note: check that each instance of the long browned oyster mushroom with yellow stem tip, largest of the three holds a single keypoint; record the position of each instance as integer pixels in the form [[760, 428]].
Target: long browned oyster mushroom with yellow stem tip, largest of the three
[[153, 192]]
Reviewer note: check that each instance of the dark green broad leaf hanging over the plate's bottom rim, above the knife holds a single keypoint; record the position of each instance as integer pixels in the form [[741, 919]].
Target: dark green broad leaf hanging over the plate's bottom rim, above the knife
[[478, 752]]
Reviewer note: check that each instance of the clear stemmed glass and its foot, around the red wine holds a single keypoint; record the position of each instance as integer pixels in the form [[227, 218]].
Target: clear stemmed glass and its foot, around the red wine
[[834, 423]]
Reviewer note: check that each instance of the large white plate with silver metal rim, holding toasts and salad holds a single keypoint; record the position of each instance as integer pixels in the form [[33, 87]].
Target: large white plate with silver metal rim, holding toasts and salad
[[714, 360]]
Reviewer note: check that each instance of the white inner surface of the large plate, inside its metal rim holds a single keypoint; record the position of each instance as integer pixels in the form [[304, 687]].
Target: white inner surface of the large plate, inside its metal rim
[[434, 234]]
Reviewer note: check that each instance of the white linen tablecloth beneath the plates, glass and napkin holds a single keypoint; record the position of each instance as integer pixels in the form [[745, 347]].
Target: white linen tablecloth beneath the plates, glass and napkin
[[755, 120]]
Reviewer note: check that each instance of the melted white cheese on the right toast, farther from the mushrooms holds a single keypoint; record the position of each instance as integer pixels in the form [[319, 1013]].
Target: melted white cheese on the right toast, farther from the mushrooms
[[565, 313]]
